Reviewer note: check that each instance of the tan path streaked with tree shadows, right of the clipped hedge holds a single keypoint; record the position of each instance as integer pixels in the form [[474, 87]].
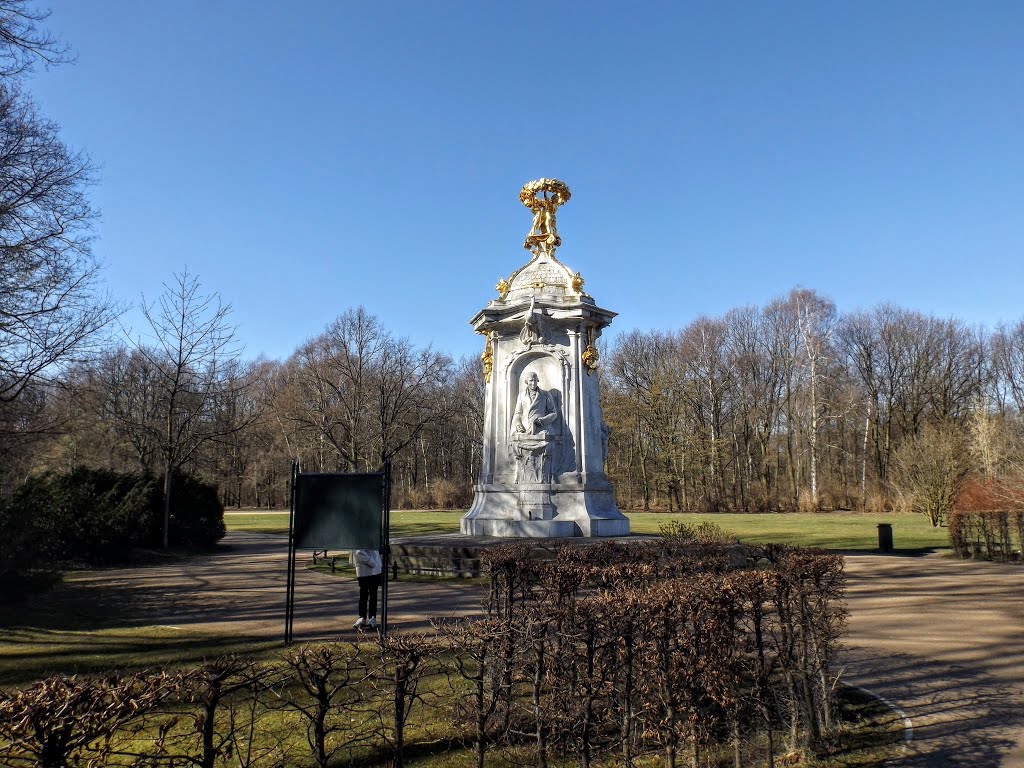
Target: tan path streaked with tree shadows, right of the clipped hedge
[[943, 639]]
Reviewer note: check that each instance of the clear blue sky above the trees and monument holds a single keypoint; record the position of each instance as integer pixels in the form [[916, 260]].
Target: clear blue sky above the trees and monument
[[305, 158]]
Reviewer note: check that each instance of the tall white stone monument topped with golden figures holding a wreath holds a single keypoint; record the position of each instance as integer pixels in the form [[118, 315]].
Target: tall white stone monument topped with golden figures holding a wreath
[[544, 440]]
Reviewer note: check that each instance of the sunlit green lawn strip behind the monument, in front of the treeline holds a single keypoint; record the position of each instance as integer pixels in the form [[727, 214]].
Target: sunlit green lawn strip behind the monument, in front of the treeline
[[837, 531]]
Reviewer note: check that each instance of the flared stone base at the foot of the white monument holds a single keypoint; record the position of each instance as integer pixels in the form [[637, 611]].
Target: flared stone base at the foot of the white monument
[[542, 511]]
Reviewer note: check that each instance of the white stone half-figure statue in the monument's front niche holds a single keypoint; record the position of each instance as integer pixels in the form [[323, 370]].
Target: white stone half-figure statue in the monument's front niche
[[535, 434]]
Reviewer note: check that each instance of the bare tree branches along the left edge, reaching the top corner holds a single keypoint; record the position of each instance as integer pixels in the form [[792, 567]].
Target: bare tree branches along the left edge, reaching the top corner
[[51, 307]]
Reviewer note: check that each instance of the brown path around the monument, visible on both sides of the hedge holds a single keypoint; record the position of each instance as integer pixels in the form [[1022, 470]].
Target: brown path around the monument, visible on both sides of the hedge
[[942, 639]]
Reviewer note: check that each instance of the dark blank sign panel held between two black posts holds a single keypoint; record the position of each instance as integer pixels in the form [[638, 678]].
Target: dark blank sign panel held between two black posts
[[338, 511]]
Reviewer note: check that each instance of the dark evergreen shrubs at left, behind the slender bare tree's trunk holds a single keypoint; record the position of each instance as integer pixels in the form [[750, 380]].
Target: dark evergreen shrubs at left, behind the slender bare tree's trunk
[[98, 517]]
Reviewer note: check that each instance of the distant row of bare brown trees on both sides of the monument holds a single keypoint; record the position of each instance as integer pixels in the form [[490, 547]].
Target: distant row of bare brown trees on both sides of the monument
[[789, 406]]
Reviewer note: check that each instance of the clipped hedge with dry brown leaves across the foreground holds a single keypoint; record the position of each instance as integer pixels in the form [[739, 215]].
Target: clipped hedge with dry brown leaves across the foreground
[[610, 654]]
